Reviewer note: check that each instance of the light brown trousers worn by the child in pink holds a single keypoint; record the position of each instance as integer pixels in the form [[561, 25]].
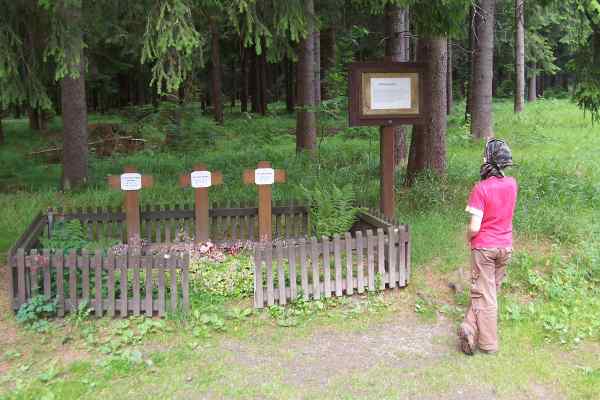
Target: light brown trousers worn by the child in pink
[[488, 271]]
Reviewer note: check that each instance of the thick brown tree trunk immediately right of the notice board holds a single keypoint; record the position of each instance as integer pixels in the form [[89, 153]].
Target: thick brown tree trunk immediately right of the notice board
[[428, 147]]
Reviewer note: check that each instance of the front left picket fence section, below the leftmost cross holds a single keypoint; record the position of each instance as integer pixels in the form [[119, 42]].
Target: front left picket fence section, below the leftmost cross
[[130, 284]]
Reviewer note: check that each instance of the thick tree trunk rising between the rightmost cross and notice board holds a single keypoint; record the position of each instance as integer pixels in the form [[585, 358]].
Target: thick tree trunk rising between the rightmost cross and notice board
[[306, 131]]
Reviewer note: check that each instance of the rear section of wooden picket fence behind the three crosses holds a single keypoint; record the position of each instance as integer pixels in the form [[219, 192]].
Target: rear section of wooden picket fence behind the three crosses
[[162, 224]]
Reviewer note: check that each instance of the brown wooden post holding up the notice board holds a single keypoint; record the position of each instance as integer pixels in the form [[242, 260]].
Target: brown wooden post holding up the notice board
[[387, 193]]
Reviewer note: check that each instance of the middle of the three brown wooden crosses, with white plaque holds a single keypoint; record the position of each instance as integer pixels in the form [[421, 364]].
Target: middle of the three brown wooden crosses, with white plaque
[[201, 179]]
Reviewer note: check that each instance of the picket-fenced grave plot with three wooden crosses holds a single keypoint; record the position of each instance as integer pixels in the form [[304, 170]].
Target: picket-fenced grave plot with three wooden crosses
[[135, 261]]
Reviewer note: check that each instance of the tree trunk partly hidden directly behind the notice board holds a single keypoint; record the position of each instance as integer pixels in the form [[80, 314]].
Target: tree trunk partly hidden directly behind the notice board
[[397, 50]]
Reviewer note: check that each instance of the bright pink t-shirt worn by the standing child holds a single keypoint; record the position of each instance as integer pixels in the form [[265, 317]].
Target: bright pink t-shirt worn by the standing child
[[494, 200]]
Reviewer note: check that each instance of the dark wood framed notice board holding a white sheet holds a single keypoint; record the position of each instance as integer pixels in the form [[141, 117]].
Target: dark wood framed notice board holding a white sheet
[[385, 94]]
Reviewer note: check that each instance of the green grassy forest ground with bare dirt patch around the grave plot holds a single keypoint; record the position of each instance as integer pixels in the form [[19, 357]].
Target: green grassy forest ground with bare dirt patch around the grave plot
[[398, 344]]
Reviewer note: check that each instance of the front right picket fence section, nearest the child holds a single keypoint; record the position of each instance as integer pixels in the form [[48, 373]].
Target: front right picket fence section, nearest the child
[[323, 268]]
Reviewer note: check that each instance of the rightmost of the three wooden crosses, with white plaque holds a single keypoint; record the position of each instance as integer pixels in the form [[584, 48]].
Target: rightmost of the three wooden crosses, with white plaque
[[264, 176]]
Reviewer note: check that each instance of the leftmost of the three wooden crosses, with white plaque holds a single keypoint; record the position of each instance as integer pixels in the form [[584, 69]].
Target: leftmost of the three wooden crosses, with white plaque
[[131, 182]]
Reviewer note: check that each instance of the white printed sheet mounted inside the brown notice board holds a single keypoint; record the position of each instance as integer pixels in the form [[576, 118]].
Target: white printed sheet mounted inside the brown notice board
[[390, 93]]
